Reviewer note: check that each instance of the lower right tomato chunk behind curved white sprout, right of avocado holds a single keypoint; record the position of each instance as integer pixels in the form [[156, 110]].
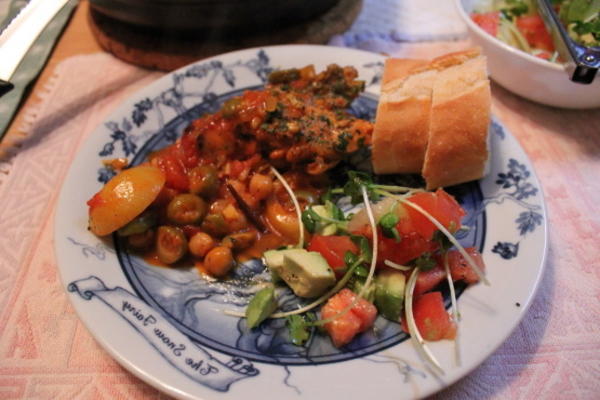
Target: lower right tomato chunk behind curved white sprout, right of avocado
[[432, 320]]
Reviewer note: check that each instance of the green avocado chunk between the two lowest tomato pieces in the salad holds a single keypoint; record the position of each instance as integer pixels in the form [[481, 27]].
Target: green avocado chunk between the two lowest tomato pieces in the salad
[[389, 293]]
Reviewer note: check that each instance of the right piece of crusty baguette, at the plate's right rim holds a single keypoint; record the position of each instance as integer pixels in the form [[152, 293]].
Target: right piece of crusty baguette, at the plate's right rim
[[459, 119]]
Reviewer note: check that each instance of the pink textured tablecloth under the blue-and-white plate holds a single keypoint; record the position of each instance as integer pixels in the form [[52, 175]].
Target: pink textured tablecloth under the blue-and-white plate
[[46, 353]]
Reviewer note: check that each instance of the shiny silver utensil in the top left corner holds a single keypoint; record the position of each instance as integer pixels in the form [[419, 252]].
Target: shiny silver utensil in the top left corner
[[20, 34]]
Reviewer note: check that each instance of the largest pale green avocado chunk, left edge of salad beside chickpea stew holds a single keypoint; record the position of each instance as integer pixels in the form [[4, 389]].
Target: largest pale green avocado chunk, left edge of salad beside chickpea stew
[[306, 272]]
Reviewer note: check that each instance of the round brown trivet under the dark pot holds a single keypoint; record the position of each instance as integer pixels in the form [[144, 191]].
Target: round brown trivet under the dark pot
[[157, 50]]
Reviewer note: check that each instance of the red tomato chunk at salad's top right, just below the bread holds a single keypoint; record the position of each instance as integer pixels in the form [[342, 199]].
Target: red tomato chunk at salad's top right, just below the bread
[[441, 206]]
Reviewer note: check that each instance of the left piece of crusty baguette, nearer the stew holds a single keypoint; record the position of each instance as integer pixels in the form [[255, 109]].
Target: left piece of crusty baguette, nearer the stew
[[402, 123]]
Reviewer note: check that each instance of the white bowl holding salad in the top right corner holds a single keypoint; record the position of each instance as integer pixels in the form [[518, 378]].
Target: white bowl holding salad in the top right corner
[[528, 76]]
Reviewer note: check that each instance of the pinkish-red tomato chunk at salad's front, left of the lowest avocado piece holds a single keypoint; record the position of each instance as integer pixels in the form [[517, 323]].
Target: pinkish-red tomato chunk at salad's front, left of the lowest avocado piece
[[347, 325]]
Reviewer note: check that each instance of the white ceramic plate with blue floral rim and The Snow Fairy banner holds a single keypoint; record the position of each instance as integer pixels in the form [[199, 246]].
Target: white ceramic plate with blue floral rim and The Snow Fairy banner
[[165, 325]]
